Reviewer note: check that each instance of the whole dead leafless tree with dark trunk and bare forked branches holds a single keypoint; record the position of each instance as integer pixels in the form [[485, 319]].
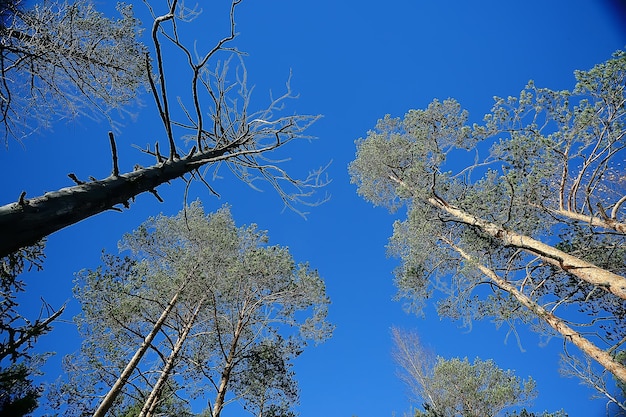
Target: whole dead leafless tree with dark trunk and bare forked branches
[[239, 137]]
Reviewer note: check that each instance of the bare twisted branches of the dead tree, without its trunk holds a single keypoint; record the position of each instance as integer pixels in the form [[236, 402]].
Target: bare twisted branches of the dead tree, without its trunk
[[250, 135]]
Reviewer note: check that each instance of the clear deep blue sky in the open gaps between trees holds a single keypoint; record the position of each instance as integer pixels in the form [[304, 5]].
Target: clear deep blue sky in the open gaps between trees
[[353, 62]]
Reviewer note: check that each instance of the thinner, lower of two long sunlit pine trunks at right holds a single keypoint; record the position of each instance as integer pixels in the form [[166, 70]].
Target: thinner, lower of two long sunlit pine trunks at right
[[602, 357]]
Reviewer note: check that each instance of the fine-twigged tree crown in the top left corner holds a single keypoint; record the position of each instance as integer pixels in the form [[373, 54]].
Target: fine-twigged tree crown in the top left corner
[[59, 60]]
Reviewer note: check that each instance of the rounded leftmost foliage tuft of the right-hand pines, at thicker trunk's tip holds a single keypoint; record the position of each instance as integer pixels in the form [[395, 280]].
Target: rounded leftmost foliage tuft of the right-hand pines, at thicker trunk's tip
[[410, 149]]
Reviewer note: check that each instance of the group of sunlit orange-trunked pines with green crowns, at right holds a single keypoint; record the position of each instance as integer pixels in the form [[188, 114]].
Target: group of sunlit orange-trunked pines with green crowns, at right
[[532, 232]]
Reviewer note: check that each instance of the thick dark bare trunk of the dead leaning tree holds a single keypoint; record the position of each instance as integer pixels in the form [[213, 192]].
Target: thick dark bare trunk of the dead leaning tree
[[28, 220]]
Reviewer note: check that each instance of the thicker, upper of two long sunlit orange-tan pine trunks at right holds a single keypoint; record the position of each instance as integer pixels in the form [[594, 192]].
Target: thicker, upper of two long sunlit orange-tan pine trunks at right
[[586, 271]]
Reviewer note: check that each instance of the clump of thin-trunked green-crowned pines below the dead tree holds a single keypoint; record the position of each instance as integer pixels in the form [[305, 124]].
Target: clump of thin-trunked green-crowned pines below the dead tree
[[219, 309]]
